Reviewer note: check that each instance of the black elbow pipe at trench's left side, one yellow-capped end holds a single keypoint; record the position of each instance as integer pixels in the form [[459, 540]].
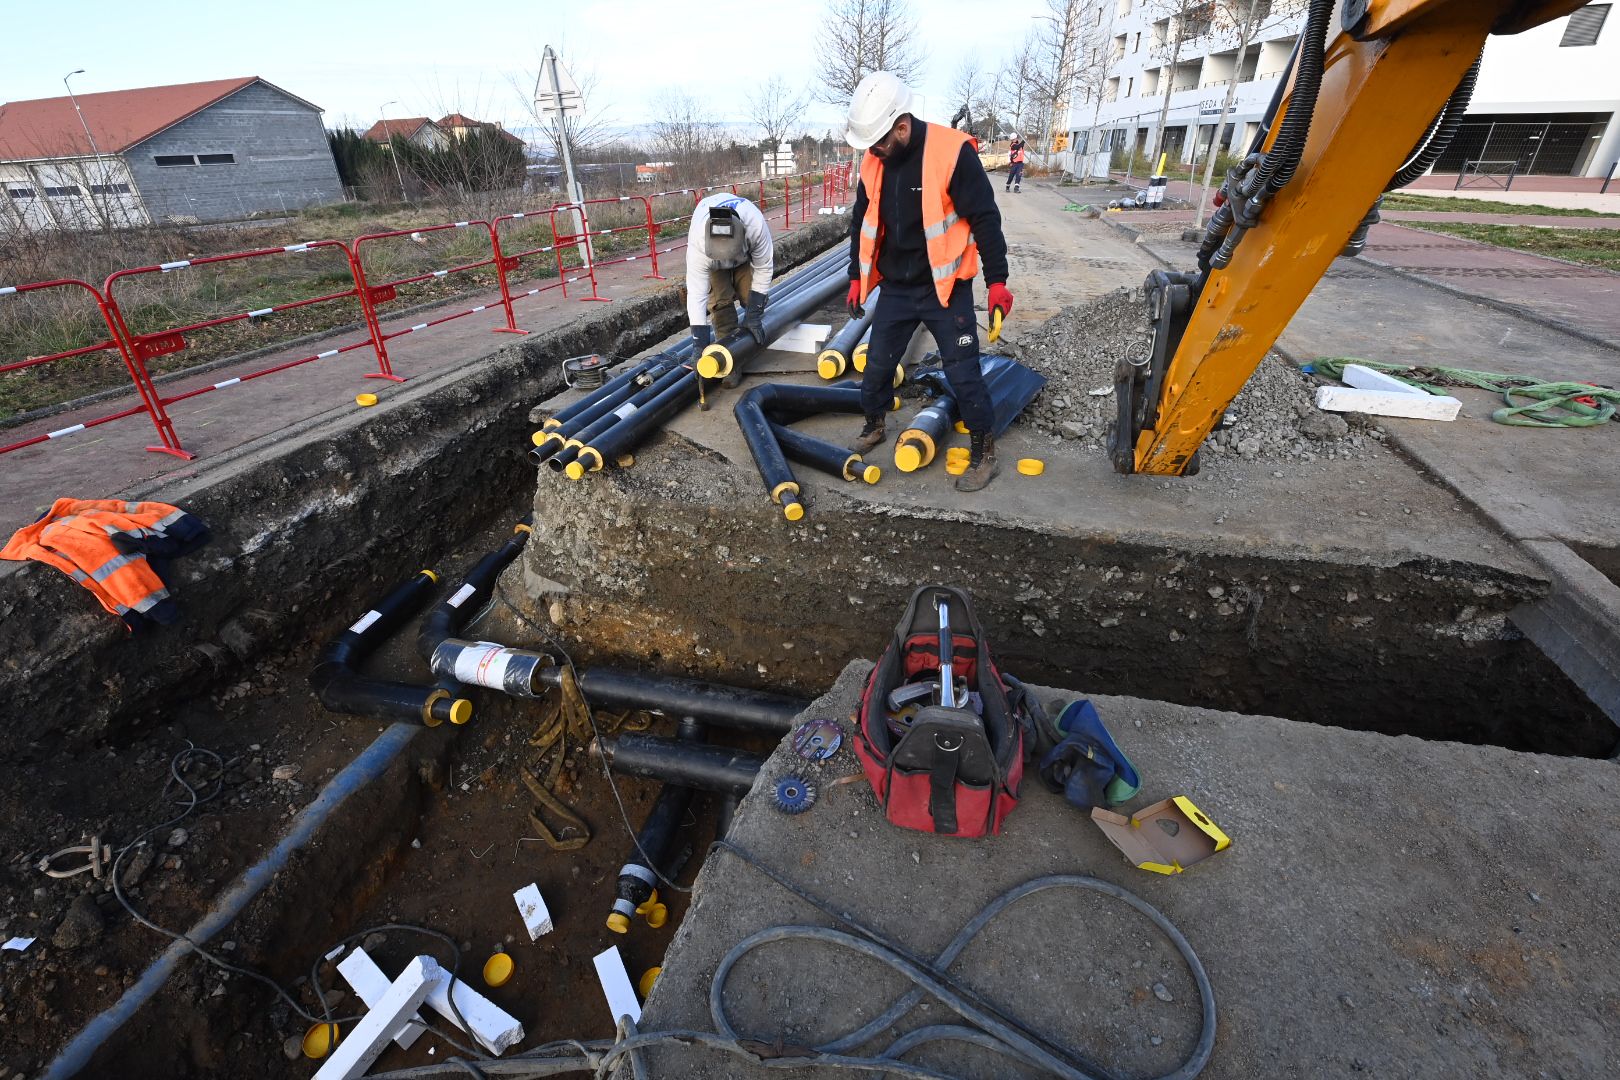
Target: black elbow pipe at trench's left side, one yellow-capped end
[[343, 689]]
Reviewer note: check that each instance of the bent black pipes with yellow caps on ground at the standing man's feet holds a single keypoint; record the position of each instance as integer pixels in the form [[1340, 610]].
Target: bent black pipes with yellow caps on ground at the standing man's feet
[[764, 415]]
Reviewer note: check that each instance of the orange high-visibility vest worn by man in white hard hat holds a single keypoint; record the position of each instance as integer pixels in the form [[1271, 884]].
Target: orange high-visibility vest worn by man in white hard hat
[[952, 250]]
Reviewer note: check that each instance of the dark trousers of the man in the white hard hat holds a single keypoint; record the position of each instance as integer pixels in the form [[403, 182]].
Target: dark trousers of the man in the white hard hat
[[955, 331]]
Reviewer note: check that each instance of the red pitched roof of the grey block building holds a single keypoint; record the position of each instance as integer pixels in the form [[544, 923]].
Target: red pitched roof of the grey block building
[[119, 119]]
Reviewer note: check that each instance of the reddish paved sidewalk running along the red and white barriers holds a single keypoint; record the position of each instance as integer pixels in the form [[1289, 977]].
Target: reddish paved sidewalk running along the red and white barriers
[[111, 459]]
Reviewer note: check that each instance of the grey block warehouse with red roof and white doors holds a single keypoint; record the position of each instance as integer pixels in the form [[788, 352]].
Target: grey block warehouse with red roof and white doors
[[163, 155]]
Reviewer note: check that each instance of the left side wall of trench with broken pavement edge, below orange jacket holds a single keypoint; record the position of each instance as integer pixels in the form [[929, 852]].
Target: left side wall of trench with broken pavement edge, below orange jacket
[[309, 527]]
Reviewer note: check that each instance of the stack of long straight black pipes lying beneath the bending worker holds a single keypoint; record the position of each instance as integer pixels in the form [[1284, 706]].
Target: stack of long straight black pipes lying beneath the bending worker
[[626, 410]]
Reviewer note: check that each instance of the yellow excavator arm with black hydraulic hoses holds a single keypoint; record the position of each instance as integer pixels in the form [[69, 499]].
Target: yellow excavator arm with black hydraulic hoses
[[1375, 93]]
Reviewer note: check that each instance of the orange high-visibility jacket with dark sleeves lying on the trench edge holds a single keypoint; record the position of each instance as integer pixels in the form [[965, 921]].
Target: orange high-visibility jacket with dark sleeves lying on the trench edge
[[100, 545]]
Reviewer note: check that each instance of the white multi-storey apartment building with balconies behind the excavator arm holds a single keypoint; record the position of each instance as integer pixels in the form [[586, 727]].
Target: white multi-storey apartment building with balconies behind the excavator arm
[[1548, 100]]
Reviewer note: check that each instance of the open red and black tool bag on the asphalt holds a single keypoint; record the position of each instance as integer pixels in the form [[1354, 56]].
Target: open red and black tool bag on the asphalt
[[936, 762]]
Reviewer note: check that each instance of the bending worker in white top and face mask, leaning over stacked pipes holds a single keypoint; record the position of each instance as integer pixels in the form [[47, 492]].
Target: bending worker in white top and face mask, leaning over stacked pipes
[[730, 260]]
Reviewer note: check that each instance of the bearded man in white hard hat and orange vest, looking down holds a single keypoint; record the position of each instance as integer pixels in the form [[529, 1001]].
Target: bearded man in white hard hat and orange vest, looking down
[[924, 211]]
